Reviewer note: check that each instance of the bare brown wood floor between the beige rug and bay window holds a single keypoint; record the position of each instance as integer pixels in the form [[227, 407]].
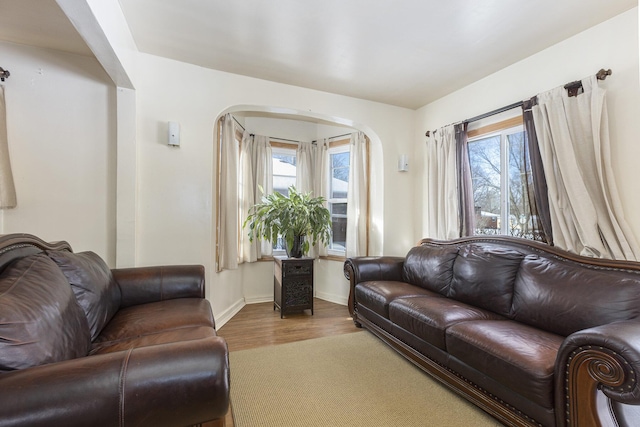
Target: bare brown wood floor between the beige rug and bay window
[[259, 325]]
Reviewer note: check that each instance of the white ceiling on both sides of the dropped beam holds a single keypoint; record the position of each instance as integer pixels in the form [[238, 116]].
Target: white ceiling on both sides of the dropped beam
[[399, 52]]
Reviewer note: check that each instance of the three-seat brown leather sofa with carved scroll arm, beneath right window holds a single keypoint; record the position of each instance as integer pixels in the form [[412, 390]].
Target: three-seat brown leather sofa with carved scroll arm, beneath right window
[[531, 334]]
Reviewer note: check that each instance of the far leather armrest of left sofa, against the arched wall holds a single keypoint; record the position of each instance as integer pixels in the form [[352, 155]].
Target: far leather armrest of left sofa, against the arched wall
[[142, 285]]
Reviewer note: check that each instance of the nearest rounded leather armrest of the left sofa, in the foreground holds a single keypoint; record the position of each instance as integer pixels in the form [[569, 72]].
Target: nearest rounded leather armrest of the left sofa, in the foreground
[[182, 383]]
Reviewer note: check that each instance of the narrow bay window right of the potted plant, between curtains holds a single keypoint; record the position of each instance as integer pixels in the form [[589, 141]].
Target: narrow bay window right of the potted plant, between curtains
[[339, 157]]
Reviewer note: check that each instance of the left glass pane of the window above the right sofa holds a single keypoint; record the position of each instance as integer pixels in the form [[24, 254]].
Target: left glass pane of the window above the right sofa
[[484, 159]]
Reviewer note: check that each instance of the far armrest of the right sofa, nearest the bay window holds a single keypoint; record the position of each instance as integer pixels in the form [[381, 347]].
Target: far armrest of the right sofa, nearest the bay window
[[364, 269]]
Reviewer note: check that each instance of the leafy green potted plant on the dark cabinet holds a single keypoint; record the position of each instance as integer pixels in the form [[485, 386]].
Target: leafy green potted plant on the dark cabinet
[[298, 218]]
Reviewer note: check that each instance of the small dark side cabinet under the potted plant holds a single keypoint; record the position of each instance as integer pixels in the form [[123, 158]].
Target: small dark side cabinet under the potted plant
[[292, 284]]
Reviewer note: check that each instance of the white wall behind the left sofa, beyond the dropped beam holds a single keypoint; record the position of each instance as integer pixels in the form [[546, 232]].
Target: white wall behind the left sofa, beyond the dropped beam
[[60, 119]]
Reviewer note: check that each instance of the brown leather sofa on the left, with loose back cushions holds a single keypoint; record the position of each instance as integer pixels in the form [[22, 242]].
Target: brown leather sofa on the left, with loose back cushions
[[83, 345]]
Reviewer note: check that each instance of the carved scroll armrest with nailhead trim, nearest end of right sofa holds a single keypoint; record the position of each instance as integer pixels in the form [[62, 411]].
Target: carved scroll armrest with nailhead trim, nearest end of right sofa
[[605, 358]]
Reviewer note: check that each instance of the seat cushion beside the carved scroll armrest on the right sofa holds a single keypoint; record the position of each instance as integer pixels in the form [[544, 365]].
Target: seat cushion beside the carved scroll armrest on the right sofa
[[518, 356]]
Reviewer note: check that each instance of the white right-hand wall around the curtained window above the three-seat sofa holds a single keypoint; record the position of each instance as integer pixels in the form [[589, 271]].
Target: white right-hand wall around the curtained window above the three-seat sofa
[[612, 44]]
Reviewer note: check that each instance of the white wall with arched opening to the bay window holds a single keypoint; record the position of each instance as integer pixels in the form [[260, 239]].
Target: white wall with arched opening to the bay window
[[176, 185]]
